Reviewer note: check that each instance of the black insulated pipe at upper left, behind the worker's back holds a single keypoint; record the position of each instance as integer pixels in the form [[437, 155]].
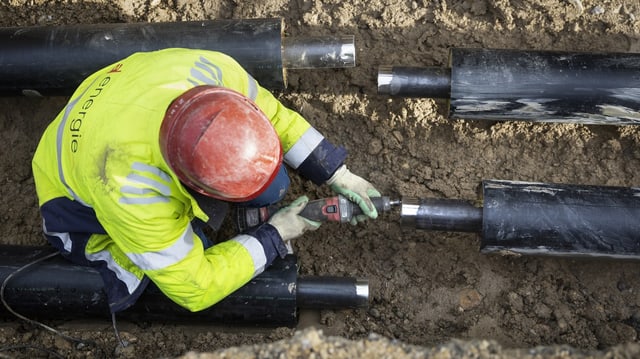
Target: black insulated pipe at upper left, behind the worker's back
[[54, 60]]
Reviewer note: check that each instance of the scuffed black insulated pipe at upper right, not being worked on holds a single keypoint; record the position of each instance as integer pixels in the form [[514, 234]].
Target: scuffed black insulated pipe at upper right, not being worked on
[[537, 86]]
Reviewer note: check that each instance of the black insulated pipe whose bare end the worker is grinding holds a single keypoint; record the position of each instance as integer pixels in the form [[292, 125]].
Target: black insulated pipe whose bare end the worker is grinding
[[539, 218]]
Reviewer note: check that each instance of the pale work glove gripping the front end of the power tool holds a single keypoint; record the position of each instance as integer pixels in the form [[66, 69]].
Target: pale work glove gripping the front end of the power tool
[[357, 190]]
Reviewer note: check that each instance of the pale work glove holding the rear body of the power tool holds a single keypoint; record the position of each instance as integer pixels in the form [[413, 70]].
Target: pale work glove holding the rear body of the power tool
[[289, 224]]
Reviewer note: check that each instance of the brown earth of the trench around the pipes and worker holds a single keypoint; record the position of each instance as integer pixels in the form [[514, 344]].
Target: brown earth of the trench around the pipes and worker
[[427, 288]]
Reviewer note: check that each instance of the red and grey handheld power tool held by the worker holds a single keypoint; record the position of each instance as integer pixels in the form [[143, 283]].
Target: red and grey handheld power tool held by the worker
[[333, 209]]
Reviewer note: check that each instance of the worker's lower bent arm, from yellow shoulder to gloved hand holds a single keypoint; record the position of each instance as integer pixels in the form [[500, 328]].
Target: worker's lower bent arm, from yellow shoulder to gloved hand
[[148, 216]]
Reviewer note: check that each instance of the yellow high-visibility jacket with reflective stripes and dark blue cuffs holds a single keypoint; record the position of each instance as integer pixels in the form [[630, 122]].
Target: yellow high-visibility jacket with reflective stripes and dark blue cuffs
[[109, 199]]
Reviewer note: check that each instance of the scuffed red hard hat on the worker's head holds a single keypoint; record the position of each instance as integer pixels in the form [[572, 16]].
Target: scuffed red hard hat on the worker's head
[[220, 143]]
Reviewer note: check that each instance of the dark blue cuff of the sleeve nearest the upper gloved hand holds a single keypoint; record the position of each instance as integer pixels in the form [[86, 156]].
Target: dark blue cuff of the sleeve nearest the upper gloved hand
[[322, 163]]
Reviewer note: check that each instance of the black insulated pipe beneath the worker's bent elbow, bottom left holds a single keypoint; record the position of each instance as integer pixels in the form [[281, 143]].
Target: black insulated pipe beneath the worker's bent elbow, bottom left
[[58, 289]]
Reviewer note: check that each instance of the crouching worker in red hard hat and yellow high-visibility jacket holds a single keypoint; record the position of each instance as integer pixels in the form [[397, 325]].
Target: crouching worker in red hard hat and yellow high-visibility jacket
[[152, 147]]
